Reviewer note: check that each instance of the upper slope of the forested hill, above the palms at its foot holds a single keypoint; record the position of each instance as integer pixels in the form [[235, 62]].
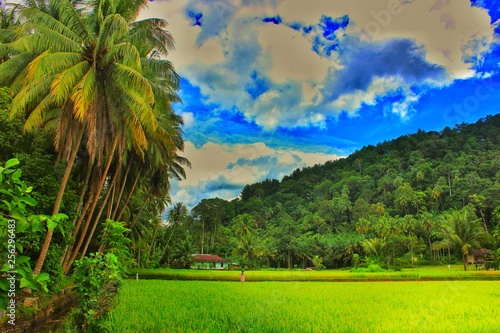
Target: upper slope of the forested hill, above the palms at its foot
[[425, 171]]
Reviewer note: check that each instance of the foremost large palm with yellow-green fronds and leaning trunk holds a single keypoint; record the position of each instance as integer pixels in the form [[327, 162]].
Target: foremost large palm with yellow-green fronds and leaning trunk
[[93, 76]]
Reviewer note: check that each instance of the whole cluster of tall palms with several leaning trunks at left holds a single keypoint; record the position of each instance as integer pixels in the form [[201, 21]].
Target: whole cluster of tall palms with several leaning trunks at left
[[97, 80]]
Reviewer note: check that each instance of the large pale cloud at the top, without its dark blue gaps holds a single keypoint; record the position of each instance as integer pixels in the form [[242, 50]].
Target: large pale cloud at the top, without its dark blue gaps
[[233, 42]]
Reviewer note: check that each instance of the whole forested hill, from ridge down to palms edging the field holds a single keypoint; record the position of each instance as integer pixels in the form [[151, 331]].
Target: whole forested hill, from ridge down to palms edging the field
[[431, 195]]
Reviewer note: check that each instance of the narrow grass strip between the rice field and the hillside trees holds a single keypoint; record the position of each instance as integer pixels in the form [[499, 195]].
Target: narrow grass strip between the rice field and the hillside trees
[[455, 272]]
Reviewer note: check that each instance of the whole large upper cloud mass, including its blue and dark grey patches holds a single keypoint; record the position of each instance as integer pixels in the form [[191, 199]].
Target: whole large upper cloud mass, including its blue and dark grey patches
[[294, 63]]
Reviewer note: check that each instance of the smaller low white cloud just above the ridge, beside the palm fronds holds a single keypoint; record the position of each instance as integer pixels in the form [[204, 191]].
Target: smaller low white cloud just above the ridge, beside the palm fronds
[[221, 170]]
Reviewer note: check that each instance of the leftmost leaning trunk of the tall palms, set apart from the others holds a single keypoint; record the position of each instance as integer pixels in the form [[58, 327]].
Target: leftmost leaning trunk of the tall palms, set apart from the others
[[57, 203]]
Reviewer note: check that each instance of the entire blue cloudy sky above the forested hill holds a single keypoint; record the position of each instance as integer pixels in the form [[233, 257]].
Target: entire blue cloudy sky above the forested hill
[[269, 86]]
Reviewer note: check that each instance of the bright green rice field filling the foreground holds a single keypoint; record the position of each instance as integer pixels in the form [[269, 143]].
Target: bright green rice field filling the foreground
[[208, 306]]
